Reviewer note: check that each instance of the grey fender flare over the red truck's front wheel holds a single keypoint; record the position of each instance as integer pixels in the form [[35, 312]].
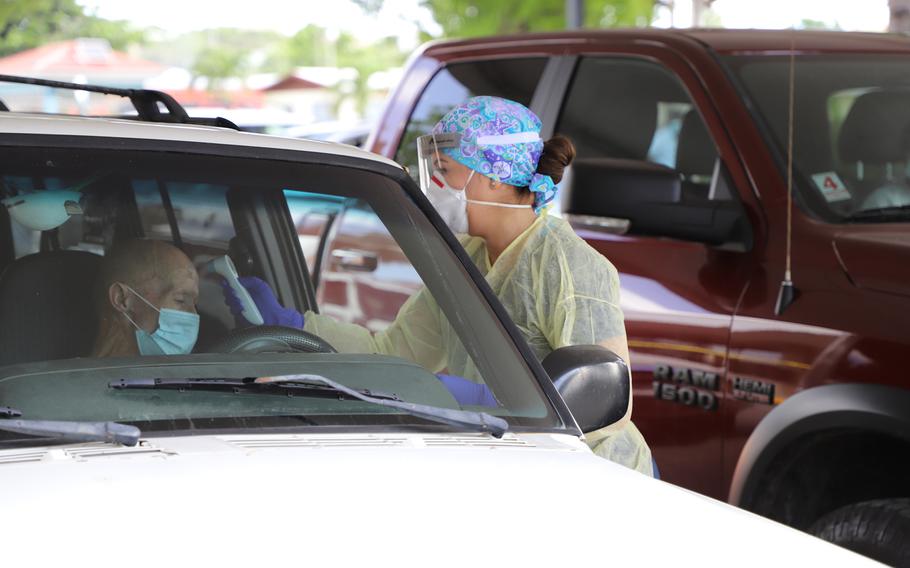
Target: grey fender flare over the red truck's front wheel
[[872, 408]]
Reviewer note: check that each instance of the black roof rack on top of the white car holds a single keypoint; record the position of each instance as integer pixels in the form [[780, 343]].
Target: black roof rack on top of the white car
[[145, 101]]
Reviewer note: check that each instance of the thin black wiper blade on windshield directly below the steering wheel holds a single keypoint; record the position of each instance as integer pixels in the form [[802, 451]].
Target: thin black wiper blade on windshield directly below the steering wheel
[[281, 386]]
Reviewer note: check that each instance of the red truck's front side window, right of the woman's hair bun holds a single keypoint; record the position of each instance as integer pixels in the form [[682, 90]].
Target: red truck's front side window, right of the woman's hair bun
[[636, 110]]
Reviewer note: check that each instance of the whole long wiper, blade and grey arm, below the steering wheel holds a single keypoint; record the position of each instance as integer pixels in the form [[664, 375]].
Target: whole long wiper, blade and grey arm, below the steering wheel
[[480, 421]]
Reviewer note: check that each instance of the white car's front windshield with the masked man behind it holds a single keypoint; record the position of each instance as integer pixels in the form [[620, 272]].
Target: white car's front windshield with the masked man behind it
[[329, 255]]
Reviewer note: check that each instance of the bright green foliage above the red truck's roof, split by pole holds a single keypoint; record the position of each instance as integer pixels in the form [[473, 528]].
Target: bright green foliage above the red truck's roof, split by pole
[[466, 18]]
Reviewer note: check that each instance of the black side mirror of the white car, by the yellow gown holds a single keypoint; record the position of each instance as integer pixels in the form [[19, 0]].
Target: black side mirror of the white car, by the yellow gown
[[594, 382]]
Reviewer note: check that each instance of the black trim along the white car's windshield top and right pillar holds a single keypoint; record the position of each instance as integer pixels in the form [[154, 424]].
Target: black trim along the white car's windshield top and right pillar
[[394, 172]]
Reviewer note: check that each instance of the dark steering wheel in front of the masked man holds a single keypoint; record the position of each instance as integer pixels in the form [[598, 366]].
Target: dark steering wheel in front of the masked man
[[271, 339]]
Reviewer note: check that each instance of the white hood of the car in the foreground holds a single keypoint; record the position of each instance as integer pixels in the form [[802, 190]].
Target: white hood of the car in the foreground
[[342, 500]]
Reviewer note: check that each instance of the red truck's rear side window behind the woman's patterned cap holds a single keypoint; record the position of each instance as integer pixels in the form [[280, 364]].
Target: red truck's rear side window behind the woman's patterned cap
[[514, 79]]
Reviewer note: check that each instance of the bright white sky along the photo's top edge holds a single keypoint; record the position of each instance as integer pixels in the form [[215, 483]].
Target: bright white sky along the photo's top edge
[[398, 17]]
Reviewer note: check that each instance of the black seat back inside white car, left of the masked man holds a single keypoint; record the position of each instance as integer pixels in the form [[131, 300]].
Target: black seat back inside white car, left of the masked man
[[46, 308]]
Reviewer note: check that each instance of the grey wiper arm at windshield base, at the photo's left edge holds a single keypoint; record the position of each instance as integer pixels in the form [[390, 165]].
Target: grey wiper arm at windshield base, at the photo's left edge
[[111, 432]]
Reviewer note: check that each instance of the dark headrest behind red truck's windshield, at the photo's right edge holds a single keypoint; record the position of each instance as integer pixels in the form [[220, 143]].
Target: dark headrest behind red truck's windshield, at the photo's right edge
[[876, 128]]
